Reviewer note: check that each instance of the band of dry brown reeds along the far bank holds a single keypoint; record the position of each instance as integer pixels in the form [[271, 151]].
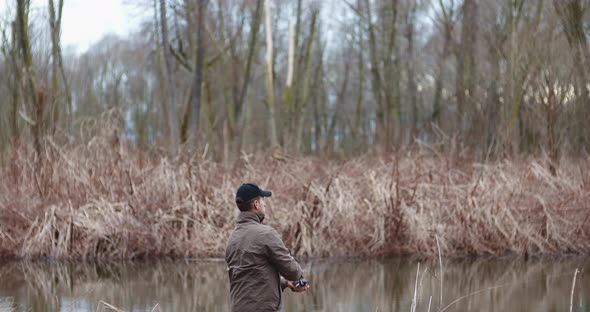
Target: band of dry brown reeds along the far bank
[[103, 199]]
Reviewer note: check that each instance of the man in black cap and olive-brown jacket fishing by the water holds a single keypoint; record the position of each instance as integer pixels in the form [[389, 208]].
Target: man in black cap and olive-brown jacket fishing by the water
[[259, 265]]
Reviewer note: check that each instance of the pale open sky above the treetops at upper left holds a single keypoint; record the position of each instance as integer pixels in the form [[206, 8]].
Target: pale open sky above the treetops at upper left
[[85, 22]]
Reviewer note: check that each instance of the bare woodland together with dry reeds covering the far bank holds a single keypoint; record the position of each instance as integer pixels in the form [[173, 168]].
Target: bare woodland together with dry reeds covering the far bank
[[384, 127]]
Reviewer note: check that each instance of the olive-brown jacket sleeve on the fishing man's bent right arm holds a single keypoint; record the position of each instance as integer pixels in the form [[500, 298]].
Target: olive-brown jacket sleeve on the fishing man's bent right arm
[[281, 258]]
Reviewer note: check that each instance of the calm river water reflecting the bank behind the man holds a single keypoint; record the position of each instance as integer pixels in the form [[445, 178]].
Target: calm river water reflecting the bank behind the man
[[344, 285]]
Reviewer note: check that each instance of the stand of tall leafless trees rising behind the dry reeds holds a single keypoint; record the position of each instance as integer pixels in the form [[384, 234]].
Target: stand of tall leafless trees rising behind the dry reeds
[[478, 64]]
